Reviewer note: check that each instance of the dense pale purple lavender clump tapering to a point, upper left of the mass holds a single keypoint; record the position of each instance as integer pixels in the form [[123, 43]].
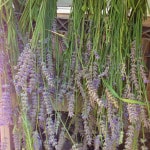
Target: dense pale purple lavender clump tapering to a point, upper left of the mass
[[25, 70]]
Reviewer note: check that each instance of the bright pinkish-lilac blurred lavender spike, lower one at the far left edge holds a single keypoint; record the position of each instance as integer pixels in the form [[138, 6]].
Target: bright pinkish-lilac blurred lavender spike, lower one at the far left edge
[[5, 106]]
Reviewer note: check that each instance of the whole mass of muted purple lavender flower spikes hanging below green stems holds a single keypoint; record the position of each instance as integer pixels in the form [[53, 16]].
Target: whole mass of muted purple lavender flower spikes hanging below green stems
[[35, 84]]
